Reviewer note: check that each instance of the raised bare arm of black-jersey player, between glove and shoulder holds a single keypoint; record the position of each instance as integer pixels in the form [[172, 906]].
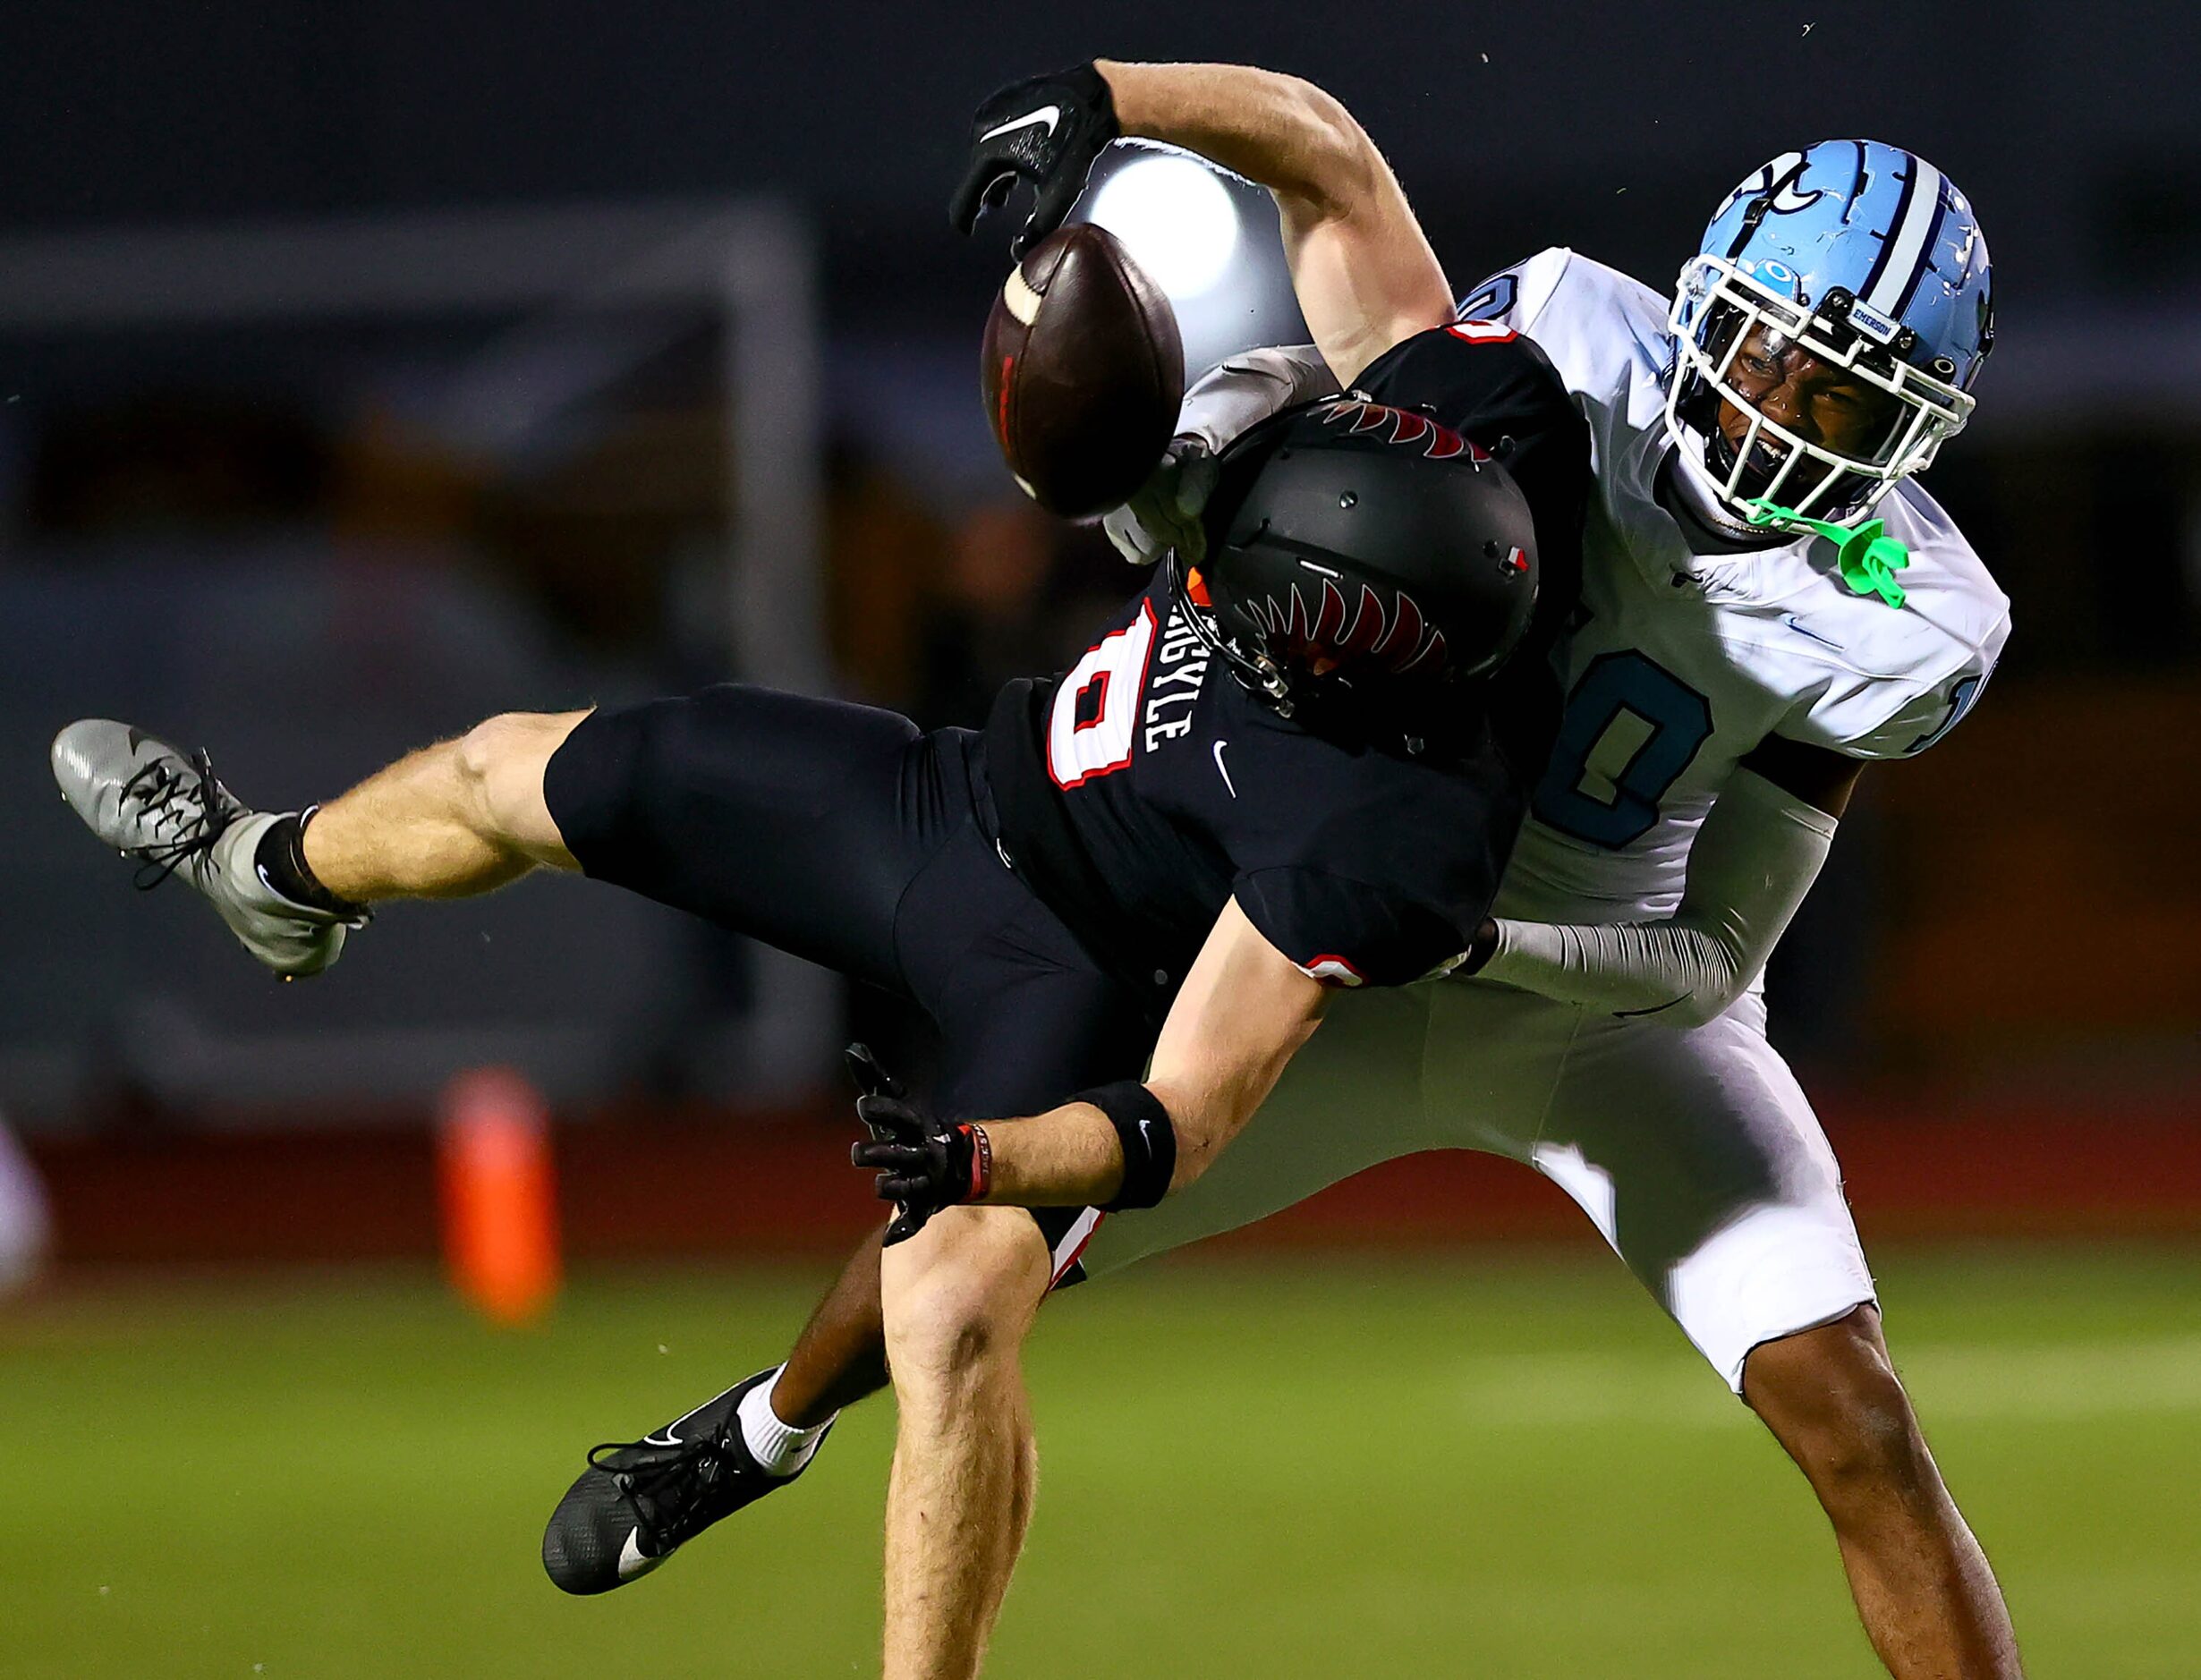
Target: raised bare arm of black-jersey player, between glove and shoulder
[[1361, 263]]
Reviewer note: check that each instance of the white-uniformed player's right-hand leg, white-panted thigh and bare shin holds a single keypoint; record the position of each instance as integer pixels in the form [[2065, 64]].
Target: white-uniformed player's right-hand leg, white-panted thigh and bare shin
[[1702, 1164]]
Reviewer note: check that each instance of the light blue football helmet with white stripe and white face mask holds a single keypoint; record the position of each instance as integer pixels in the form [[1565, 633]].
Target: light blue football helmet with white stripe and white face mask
[[1872, 261]]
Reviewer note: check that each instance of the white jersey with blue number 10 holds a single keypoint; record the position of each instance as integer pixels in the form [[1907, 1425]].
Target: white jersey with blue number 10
[[1683, 662]]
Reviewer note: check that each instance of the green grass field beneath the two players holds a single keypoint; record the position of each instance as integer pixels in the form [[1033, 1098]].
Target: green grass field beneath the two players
[[1496, 1465]]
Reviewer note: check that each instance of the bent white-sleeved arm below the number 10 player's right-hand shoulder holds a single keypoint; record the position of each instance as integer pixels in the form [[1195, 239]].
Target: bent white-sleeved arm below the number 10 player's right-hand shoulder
[[1749, 871]]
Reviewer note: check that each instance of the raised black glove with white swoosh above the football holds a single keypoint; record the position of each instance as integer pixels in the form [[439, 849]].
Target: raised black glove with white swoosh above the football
[[1047, 131]]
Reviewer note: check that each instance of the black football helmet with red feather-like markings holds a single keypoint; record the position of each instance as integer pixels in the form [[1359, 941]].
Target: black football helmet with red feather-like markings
[[1364, 556]]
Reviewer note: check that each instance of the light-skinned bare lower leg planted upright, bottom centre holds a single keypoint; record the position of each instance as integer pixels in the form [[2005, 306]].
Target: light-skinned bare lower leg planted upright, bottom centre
[[959, 1302]]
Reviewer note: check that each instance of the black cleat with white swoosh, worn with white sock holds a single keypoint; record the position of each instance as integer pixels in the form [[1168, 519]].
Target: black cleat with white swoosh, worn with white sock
[[642, 1501]]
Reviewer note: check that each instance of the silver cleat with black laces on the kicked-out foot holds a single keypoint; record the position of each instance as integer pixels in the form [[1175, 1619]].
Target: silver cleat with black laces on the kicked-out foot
[[171, 814]]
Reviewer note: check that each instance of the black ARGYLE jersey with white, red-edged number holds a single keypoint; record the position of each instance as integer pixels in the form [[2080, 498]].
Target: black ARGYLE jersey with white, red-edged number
[[1146, 787]]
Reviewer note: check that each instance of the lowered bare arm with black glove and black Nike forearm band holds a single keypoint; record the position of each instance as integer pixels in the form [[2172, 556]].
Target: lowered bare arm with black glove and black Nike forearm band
[[1240, 1018]]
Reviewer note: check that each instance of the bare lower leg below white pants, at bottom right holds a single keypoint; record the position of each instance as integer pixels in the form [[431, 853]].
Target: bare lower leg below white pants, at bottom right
[[1923, 1584]]
